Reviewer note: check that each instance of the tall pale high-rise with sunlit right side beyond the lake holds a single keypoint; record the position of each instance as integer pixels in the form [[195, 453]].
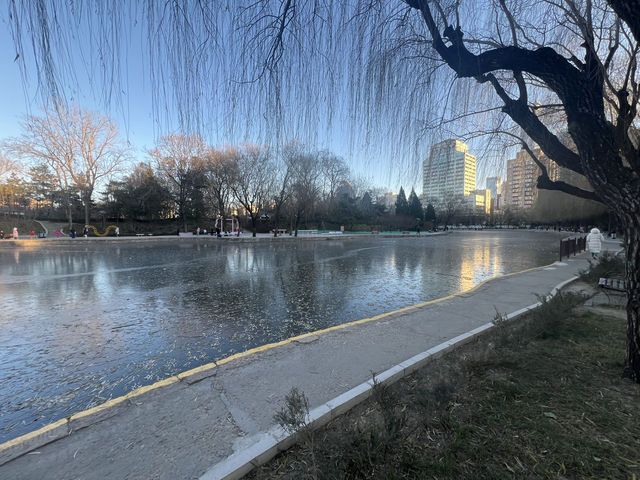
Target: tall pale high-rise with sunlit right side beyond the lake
[[449, 171]]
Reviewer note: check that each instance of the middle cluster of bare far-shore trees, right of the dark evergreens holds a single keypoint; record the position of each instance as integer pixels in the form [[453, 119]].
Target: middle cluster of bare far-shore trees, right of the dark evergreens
[[253, 178]]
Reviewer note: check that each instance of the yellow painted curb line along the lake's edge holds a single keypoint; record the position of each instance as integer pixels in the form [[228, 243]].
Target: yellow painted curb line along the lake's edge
[[23, 444]]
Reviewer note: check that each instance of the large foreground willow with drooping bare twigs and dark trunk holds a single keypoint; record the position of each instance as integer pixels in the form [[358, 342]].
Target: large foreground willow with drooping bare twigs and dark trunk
[[380, 74]]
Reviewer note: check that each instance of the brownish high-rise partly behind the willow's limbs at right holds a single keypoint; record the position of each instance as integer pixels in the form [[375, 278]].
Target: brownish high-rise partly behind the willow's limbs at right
[[520, 189]]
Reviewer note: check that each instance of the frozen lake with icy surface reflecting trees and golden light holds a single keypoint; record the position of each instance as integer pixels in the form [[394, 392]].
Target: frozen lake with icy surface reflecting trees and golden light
[[86, 321]]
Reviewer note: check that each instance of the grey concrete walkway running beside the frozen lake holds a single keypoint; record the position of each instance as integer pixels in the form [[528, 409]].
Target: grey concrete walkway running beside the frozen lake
[[181, 428]]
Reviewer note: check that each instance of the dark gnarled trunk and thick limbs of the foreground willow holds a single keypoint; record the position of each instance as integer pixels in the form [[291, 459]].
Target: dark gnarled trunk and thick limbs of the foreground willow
[[591, 72]]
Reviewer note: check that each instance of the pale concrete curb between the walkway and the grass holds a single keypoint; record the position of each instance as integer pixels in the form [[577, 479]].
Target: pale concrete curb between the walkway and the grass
[[267, 445]]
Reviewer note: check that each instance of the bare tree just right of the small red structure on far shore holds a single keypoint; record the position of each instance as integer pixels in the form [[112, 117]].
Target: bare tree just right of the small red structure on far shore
[[253, 182]]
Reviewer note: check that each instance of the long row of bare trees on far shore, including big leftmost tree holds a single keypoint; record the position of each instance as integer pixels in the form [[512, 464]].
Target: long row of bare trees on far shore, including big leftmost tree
[[72, 152]]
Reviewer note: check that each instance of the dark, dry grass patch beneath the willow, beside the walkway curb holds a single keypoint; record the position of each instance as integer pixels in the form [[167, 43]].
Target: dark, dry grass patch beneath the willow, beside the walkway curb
[[549, 403]]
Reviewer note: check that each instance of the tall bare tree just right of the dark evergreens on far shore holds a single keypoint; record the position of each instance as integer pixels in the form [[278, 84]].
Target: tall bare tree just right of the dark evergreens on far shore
[[179, 162]]
